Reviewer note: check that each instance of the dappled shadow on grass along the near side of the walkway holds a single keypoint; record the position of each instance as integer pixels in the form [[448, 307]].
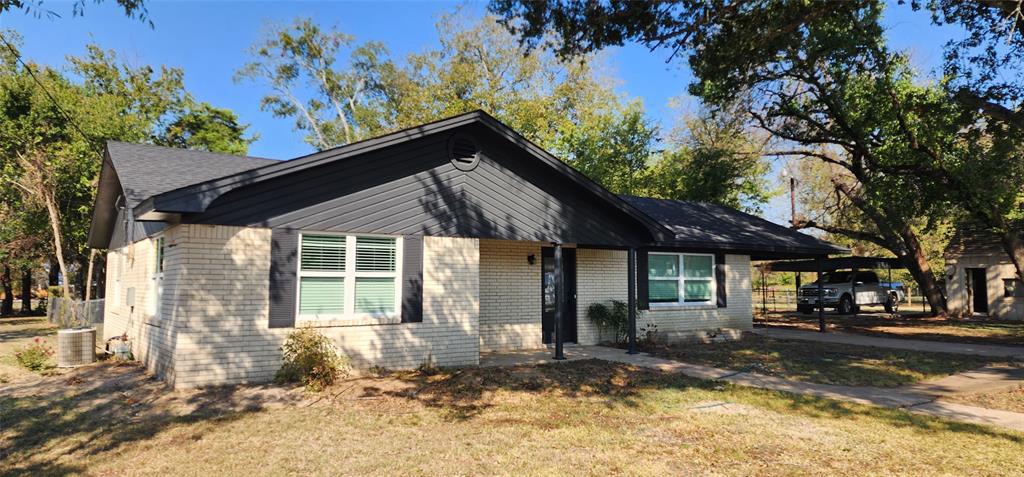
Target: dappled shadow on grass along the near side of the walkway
[[464, 395]]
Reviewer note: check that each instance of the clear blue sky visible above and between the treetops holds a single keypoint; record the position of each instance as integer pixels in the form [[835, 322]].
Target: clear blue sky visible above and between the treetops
[[209, 40]]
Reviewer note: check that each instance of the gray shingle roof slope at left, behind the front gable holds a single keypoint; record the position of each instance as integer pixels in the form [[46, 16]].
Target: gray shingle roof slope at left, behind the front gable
[[149, 170]]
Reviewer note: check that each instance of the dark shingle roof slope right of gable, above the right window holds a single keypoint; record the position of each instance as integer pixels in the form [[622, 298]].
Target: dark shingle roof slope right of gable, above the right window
[[720, 228]]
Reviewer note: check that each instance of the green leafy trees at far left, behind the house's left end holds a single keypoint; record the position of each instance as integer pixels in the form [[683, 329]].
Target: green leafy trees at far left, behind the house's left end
[[46, 114]]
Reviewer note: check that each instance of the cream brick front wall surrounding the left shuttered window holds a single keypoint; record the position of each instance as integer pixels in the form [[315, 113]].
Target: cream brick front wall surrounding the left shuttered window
[[218, 285]]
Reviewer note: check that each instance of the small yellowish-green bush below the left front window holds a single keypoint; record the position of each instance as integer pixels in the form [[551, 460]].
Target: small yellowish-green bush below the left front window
[[311, 359]]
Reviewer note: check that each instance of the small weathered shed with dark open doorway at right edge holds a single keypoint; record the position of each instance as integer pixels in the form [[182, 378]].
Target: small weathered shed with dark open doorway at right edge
[[980, 278]]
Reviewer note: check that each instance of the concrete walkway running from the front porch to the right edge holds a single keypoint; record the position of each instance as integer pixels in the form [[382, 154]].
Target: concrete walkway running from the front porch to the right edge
[[919, 399]]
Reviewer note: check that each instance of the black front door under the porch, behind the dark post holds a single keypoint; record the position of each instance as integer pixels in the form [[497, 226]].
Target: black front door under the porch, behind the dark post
[[548, 295]]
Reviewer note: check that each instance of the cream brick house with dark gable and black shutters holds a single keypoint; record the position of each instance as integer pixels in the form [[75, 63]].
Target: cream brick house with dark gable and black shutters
[[433, 244]]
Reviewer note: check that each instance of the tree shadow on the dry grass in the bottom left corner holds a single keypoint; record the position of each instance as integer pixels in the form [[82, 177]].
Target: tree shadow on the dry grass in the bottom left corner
[[99, 409]]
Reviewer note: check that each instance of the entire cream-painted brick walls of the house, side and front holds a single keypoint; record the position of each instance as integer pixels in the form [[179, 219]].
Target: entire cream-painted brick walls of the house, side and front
[[478, 295]]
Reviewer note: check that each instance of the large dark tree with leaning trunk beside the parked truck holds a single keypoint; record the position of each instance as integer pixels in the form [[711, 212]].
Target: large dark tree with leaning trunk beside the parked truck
[[819, 77]]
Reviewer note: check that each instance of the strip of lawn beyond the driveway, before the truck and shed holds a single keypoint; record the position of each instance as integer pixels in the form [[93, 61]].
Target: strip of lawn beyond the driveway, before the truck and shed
[[924, 328]]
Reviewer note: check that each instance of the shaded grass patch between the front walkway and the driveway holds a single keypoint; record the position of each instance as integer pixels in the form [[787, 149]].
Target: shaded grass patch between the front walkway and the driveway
[[823, 363]]
